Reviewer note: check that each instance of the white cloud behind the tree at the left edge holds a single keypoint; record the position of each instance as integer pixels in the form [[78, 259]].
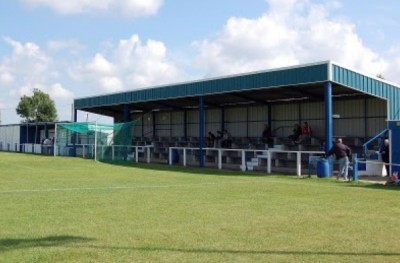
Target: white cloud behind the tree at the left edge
[[26, 68]]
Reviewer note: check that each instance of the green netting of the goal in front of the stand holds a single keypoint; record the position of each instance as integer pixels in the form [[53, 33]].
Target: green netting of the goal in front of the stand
[[94, 140]]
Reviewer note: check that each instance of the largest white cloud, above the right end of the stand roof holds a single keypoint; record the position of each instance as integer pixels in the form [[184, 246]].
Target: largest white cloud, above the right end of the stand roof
[[291, 32]]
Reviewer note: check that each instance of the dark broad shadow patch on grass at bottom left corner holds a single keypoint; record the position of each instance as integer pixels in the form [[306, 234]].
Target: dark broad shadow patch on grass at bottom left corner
[[50, 241]]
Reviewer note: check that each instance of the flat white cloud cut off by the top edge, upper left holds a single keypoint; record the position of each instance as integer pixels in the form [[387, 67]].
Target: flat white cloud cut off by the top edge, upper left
[[130, 8]]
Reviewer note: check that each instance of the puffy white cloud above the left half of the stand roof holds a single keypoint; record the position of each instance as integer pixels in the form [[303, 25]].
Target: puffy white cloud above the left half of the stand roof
[[133, 65]]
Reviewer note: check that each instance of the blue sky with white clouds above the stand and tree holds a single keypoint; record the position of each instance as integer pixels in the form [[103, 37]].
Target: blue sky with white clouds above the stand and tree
[[79, 48]]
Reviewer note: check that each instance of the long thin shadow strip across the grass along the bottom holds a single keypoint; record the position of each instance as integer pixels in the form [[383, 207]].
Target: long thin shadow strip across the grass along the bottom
[[244, 252]]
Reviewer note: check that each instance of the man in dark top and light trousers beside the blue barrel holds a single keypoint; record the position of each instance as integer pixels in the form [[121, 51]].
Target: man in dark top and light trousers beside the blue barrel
[[342, 153]]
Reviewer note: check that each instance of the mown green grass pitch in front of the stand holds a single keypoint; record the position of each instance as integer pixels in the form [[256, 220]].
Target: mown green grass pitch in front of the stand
[[74, 210]]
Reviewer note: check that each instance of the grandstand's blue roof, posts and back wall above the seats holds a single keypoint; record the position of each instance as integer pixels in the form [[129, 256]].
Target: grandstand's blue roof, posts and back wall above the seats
[[335, 100]]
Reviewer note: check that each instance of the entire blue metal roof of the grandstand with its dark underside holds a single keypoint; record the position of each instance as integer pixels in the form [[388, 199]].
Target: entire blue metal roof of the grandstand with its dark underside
[[292, 82]]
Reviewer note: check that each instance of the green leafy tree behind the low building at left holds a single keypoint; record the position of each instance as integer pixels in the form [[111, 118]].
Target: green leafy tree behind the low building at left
[[38, 108]]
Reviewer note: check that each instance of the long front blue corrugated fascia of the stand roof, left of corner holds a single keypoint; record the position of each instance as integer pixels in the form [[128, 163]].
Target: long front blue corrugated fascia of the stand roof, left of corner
[[283, 77]]
